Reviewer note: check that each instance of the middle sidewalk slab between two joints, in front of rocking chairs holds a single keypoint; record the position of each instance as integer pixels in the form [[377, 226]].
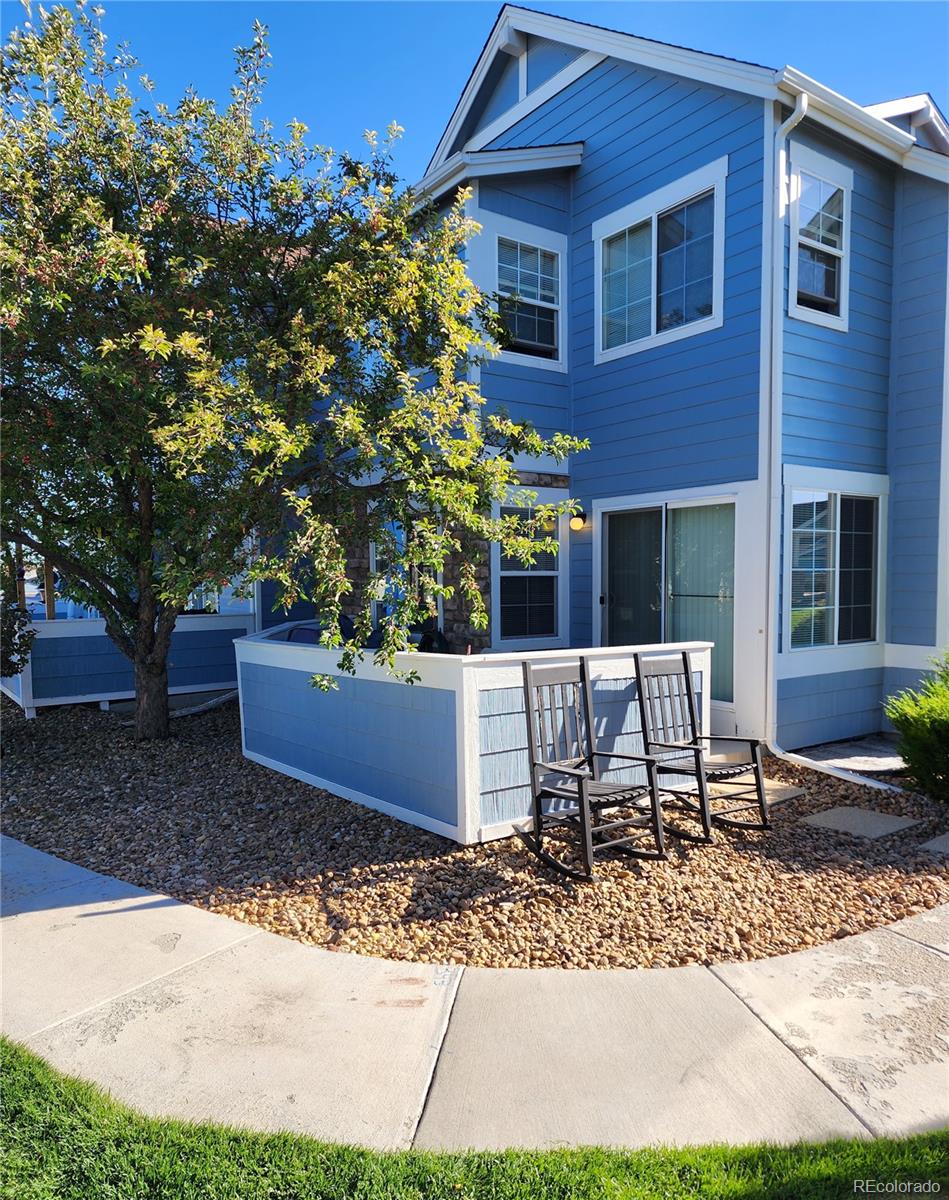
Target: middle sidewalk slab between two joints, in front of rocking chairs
[[545, 1059]]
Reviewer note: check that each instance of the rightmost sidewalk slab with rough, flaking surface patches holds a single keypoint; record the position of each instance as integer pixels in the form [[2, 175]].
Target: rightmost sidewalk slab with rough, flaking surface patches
[[869, 1016]]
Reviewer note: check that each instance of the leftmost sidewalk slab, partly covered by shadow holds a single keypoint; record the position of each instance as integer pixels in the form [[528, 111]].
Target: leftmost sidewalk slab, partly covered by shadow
[[79, 947]]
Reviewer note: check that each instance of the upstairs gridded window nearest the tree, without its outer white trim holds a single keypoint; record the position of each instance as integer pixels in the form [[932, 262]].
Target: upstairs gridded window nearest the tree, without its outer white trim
[[530, 284]]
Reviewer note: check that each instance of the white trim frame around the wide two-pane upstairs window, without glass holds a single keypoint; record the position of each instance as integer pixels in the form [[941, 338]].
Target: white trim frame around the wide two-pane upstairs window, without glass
[[650, 208]]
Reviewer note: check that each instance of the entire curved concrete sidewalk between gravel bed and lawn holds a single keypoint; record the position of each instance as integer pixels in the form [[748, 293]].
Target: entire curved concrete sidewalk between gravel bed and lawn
[[188, 1015]]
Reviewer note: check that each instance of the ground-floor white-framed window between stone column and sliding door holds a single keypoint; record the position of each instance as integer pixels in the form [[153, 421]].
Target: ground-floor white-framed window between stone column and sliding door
[[530, 603]]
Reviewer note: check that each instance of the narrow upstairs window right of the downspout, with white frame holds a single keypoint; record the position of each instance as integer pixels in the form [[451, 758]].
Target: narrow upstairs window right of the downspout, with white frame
[[819, 278]]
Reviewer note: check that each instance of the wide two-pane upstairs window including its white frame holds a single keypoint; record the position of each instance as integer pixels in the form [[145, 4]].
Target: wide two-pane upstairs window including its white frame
[[659, 266]]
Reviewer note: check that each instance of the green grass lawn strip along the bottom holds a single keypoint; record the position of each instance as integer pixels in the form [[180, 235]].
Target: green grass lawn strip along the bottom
[[64, 1141]]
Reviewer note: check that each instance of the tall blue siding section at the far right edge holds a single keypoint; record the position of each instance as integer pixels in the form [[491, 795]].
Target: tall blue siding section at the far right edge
[[916, 411]]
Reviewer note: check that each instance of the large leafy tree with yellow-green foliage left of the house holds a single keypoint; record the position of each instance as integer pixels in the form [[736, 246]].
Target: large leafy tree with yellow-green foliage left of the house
[[232, 353]]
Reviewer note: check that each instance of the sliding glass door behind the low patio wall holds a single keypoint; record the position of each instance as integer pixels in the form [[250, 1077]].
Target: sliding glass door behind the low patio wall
[[670, 575]]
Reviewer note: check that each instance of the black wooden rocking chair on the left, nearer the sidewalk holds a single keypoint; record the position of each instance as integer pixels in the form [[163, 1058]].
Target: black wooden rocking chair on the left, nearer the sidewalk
[[569, 794]]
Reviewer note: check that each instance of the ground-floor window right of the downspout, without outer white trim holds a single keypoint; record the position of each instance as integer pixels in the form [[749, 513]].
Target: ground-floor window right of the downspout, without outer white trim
[[833, 579]]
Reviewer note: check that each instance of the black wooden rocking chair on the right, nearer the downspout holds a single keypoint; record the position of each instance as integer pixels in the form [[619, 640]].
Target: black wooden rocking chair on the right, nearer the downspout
[[668, 707]]
